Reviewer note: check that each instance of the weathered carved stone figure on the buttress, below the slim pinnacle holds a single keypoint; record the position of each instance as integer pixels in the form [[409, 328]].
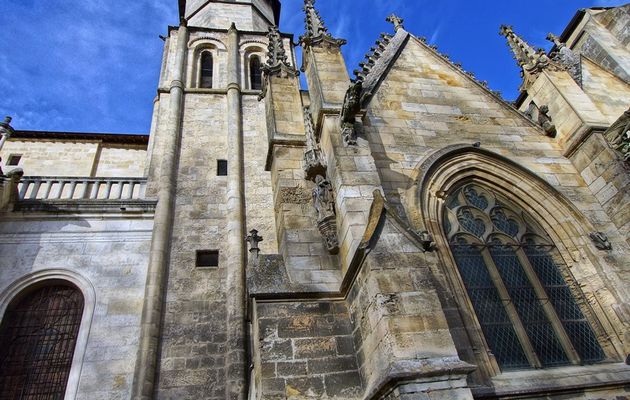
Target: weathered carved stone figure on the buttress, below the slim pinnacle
[[324, 201]]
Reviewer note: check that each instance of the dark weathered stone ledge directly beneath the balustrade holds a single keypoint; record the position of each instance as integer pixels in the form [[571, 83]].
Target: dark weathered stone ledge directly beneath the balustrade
[[86, 206]]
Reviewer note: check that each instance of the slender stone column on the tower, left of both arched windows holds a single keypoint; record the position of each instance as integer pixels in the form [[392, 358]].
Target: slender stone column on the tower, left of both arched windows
[[144, 382]]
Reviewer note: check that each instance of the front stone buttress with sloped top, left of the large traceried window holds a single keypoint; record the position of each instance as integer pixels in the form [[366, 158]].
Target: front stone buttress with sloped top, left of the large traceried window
[[399, 327]]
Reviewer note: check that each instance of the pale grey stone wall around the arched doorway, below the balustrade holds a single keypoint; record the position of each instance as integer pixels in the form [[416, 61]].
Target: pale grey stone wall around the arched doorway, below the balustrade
[[111, 254]]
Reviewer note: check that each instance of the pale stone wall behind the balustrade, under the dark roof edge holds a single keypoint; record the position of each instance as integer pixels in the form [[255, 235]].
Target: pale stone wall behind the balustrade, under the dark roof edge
[[83, 158]]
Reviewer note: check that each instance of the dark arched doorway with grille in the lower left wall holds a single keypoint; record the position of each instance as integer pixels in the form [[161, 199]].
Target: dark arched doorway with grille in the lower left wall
[[38, 335]]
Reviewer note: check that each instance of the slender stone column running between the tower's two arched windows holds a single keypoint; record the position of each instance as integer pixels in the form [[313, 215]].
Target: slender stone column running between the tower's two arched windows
[[236, 323]]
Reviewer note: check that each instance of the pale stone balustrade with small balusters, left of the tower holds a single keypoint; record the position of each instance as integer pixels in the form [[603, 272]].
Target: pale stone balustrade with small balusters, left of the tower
[[80, 188]]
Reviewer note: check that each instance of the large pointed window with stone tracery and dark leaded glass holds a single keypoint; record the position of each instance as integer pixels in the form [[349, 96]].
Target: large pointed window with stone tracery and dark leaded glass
[[510, 268]]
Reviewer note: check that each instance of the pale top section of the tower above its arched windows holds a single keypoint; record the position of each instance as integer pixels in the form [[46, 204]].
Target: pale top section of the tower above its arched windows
[[247, 15]]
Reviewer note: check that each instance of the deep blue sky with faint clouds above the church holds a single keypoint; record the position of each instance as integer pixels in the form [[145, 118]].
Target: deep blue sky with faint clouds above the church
[[92, 65]]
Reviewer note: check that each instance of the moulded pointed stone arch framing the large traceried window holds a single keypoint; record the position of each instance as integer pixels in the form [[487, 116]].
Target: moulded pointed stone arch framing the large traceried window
[[448, 170]]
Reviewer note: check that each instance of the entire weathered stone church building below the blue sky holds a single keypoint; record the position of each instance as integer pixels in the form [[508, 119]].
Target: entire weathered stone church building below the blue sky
[[404, 233]]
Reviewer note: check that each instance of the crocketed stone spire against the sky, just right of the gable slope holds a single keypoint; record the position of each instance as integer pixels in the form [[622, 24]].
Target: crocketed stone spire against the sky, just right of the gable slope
[[530, 60]]
